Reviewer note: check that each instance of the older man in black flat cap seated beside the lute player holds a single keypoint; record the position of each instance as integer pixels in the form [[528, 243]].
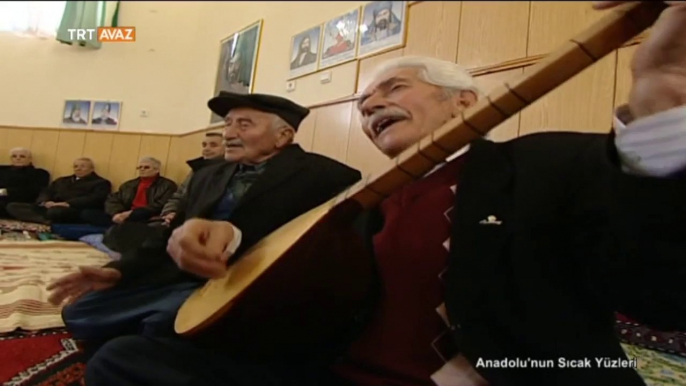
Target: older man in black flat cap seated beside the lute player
[[265, 181]]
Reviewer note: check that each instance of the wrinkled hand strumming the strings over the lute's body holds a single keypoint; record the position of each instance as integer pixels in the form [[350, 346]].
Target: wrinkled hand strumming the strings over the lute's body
[[198, 247]]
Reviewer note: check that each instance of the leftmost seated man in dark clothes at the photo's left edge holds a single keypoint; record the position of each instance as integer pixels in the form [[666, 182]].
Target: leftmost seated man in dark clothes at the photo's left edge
[[20, 181]]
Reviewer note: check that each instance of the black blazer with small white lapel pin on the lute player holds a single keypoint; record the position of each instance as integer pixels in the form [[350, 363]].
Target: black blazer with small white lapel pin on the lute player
[[579, 239]]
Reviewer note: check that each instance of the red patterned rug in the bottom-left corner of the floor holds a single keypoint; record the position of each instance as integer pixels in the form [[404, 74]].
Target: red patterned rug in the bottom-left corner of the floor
[[44, 358]]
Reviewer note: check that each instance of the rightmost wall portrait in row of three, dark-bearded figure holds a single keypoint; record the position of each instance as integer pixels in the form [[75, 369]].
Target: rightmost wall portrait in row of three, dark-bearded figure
[[382, 27]]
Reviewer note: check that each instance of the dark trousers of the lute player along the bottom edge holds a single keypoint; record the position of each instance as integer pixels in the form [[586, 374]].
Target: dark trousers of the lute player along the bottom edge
[[175, 361]]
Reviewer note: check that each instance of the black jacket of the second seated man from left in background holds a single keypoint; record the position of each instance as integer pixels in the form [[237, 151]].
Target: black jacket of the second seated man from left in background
[[87, 192]]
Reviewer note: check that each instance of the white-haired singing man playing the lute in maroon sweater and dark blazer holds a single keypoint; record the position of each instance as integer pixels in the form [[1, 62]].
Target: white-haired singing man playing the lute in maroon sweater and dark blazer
[[546, 232]]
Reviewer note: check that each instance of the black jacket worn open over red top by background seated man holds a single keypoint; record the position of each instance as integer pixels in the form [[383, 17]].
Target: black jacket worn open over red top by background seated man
[[157, 195]]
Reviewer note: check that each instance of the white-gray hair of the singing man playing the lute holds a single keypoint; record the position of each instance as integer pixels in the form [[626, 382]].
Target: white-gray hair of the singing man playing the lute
[[447, 75]]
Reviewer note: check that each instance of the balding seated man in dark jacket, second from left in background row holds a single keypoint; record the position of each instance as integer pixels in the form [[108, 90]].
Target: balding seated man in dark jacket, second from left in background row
[[66, 198]]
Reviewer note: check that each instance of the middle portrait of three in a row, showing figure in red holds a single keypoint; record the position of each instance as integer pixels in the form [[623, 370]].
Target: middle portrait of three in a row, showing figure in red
[[339, 39]]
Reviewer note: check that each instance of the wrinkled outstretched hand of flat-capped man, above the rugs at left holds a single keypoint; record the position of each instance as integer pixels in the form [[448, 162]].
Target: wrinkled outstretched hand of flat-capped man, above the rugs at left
[[75, 285]]
